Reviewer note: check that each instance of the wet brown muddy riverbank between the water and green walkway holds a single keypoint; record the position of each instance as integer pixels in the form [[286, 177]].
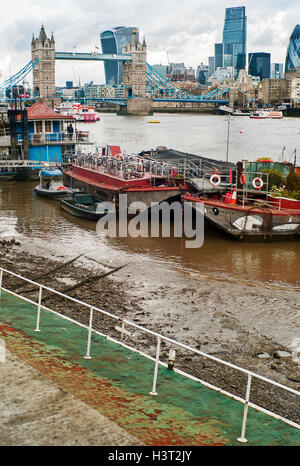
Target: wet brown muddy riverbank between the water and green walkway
[[254, 327]]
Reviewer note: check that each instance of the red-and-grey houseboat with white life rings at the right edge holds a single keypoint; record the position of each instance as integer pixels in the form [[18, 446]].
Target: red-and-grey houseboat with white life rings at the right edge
[[249, 210]]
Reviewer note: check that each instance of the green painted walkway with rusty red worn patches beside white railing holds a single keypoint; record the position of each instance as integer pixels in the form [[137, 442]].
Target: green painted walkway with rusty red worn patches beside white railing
[[117, 382]]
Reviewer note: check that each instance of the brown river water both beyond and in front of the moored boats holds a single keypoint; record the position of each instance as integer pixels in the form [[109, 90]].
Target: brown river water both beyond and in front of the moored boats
[[42, 221]]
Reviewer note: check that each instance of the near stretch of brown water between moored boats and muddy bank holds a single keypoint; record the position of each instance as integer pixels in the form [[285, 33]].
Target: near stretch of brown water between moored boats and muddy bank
[[24, 213]]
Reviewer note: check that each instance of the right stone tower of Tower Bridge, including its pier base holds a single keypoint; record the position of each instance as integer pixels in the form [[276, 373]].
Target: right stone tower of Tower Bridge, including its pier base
[[134, 77]]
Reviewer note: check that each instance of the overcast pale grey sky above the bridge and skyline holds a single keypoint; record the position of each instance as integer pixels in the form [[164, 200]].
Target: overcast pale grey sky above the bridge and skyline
[[185, 30]]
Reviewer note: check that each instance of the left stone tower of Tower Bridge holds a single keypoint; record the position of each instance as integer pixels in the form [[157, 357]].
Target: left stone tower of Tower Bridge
[[43, 48]]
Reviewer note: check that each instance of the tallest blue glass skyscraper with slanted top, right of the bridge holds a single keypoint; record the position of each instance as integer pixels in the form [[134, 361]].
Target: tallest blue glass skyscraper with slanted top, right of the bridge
[[234, 38]]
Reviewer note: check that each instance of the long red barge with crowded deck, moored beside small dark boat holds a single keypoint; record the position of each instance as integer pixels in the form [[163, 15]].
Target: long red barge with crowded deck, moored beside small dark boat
[[107, 176]]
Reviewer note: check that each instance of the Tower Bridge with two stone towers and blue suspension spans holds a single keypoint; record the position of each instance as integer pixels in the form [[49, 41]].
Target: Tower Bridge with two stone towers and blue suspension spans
[[136, 74]]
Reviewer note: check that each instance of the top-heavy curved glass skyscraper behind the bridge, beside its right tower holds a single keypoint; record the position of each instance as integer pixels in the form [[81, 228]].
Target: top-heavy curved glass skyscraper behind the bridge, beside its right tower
[[112, 42]]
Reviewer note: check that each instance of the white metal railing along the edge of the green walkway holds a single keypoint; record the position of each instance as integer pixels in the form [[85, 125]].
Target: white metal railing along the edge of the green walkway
[[250, 375]]
